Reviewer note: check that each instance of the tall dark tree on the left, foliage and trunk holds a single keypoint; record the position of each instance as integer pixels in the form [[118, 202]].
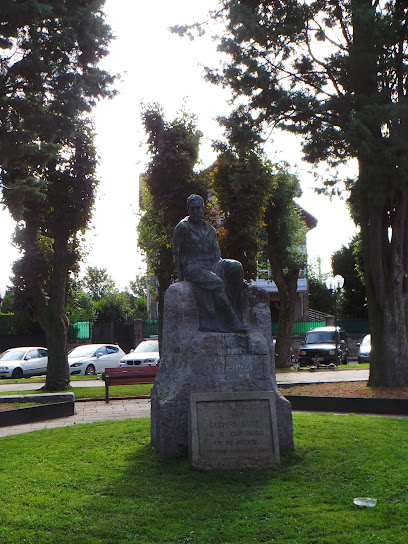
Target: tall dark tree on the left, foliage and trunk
[[49, 81]]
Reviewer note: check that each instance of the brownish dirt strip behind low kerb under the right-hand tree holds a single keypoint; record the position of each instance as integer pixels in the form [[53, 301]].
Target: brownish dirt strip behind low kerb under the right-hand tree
[[346, 389]]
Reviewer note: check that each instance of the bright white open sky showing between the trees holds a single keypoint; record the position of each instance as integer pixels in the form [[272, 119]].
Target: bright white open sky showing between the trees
[[157, 66]]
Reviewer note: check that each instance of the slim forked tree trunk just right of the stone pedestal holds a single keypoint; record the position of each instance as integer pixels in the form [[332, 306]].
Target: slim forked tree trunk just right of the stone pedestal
[[286, 282]]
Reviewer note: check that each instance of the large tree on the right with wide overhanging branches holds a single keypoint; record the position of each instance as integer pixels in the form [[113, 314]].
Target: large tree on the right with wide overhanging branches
[[335, 72]]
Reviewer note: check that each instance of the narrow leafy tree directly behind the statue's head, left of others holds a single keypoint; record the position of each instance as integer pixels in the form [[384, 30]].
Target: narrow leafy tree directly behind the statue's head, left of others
[[168, 181]]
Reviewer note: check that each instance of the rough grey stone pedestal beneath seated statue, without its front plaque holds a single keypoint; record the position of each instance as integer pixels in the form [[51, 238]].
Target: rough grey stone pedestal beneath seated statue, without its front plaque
[[192, 361]]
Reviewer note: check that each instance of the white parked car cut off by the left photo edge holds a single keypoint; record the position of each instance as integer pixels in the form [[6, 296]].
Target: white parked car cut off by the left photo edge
[[23, 362]]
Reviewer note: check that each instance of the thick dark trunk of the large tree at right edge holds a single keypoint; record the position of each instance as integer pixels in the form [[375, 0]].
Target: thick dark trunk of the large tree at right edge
[[383, 205]]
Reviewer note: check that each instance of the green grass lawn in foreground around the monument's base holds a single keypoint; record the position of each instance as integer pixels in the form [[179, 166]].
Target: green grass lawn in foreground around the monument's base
[[102, 483]]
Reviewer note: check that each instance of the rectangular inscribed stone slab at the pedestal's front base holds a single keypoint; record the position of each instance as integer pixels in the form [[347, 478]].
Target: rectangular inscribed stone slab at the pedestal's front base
[[233, 430]]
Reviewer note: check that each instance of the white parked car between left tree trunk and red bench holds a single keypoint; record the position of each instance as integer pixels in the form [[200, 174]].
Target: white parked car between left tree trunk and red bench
[[90, 359]]
